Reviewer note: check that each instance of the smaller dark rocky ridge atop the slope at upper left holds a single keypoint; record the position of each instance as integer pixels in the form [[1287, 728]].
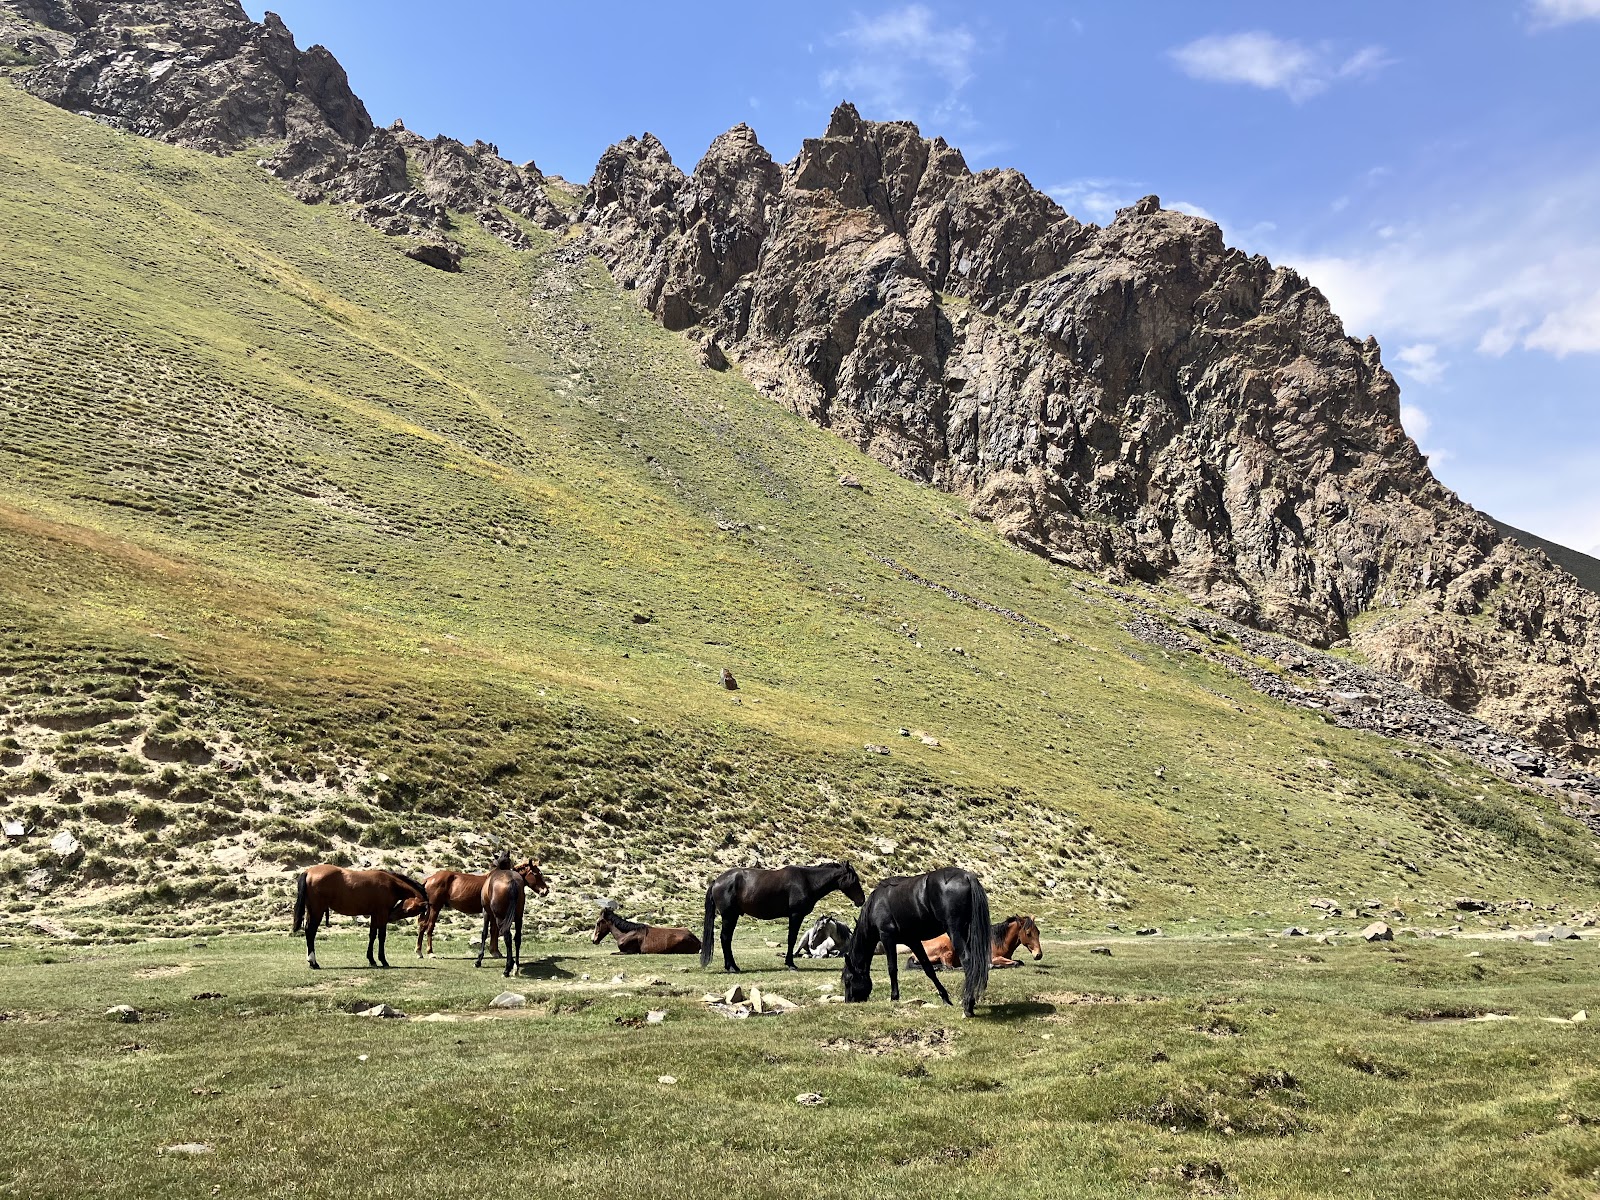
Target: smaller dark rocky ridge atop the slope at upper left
[[202, 74]]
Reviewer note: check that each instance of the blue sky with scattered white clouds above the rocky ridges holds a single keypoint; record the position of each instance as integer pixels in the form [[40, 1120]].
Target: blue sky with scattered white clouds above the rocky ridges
[[1434, 166]]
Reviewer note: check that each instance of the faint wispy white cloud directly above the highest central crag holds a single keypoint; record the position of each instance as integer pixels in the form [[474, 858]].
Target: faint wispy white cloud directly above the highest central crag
[[903, 63]]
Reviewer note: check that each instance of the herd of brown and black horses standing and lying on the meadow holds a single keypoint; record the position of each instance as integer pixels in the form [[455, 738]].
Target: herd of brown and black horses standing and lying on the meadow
[[942, 916]]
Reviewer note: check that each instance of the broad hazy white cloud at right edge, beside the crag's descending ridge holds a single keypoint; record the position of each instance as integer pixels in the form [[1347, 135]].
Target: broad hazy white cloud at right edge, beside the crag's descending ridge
[[1518, 268]]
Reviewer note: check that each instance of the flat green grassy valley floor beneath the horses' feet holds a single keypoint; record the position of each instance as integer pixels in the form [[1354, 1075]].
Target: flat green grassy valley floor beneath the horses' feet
[[1174, 1066]]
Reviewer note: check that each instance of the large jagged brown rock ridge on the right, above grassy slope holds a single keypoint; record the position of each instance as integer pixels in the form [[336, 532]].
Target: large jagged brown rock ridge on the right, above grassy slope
[[1138, 399]]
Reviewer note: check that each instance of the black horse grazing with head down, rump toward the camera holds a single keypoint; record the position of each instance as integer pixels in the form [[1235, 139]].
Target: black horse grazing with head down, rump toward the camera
[[914, 910]]
